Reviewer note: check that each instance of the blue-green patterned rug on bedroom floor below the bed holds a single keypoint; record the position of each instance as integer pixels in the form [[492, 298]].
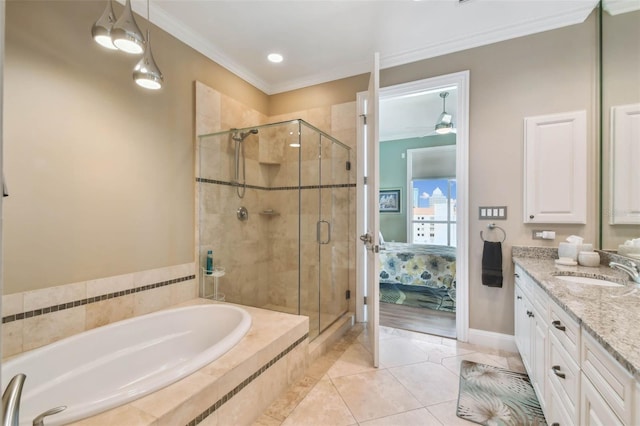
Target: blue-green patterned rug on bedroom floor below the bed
[[416, 296]]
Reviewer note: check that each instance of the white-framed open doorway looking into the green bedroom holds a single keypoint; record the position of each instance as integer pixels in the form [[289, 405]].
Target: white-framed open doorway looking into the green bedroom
[[423, 209]]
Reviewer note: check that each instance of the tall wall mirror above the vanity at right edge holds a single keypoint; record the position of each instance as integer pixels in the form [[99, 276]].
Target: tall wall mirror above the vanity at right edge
[[620, 121]]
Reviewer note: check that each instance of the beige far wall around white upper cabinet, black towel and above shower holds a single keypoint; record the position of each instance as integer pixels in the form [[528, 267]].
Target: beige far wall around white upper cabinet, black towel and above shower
[[550, 72]]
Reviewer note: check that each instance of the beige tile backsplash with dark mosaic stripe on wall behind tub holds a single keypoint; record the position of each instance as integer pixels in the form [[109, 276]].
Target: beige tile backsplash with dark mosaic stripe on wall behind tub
[[37, 318]]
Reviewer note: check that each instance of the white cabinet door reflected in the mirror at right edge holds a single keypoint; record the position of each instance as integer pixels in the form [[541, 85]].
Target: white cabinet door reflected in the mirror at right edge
[[625, 164]]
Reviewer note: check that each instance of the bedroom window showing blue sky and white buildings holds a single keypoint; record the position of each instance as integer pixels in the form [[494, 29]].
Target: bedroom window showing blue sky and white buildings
[[433, 218]]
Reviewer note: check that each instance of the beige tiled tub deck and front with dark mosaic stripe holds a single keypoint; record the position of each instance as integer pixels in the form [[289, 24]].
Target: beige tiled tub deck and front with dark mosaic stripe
[[234, 389]]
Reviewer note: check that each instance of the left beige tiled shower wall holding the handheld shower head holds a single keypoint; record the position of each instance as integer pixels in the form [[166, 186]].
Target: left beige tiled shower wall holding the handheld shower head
[[237, 245]]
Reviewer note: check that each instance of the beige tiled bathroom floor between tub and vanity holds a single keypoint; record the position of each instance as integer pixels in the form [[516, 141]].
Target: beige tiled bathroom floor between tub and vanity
[[416, 384]]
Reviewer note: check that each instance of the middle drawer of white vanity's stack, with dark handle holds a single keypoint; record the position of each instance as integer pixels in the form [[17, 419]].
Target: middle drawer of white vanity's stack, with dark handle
[[564, 376]]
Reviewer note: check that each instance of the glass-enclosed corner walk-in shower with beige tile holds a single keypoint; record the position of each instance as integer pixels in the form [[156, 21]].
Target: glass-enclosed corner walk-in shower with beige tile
[[273, 205]]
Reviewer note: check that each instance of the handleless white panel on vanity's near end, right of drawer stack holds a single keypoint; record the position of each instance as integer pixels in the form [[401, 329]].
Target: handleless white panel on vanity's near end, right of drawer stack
[[611, 380]]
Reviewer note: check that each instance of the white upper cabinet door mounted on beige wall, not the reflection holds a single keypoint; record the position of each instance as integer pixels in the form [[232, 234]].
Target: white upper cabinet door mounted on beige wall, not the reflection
[[555, 168]]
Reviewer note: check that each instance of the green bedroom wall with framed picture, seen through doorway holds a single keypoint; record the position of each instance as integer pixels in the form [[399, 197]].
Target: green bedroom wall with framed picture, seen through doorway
[[393, 174]]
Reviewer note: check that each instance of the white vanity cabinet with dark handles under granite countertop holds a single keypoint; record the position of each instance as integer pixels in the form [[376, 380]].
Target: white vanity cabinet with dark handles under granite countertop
[[576, 380]]
